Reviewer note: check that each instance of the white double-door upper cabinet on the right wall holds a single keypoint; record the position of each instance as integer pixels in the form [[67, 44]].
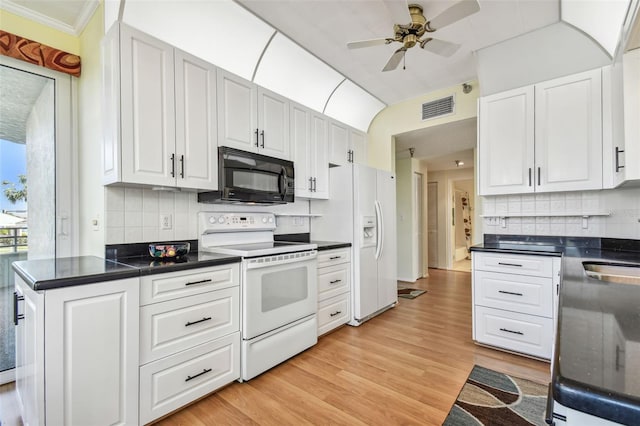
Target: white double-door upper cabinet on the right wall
[[542, 138]]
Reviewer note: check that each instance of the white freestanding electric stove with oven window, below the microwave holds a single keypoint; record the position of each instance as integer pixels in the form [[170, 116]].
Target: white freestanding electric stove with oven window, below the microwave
[[278, 286]]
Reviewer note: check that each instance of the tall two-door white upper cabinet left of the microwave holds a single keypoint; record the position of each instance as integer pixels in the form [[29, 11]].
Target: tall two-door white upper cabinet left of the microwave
[[159, 113]]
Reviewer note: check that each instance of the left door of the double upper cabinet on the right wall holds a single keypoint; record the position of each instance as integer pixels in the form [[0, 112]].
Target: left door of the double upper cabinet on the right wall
[[506, 142]]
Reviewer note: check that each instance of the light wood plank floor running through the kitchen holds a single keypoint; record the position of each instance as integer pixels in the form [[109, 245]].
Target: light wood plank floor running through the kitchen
[[405, 366]]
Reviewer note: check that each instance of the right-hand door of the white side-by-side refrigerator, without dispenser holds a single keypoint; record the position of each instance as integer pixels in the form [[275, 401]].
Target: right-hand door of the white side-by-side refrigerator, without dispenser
[[387, 240]]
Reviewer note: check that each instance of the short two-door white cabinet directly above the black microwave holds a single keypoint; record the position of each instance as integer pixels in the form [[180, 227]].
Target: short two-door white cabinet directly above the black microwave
[[251, 118]]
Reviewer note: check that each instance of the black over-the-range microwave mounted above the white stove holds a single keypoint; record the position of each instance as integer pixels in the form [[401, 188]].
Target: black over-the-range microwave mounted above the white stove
[[247, 177]]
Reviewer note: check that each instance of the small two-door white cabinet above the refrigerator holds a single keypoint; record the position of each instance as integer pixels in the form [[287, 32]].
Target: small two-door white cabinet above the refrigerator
[[346, 145]]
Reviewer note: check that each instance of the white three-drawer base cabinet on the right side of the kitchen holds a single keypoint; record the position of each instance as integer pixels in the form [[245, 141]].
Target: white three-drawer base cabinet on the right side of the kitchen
[[514, 301]]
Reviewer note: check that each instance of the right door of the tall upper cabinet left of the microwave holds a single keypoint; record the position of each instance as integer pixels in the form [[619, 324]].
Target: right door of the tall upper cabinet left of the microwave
[[196, 128]]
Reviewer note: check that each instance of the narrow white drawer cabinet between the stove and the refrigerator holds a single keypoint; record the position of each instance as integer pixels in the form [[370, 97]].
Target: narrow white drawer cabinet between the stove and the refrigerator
[[334, 289]]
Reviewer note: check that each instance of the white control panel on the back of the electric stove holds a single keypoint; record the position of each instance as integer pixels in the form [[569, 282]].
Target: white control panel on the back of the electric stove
[[233, 221]]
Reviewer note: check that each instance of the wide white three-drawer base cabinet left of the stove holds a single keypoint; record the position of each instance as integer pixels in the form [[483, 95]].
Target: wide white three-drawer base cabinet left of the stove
[[189, 336]]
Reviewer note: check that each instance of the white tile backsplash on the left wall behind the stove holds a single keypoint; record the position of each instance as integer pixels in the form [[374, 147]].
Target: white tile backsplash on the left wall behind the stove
[[133, 215]]
